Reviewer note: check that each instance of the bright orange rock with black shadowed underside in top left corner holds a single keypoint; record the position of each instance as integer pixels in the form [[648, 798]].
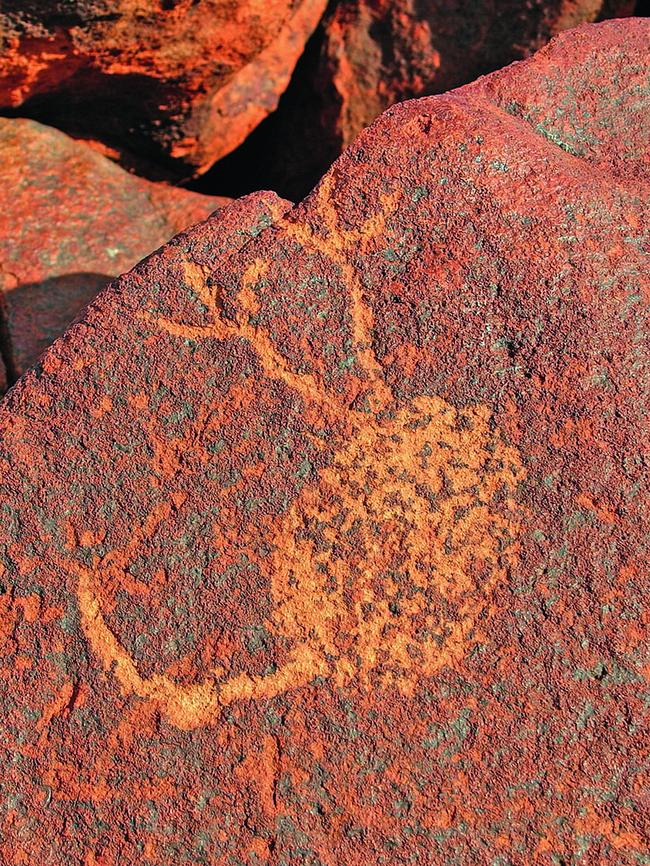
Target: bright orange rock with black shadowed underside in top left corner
[[182, 80]]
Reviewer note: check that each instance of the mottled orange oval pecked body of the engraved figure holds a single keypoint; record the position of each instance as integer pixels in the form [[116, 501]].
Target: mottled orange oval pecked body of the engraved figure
[[400, 521]]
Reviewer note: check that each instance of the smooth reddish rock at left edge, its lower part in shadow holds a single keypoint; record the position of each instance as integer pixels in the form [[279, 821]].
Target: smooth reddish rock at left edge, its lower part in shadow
[[70, 222]]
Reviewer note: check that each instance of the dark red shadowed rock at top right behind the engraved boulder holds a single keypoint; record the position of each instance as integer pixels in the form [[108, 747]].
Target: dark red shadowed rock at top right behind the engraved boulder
[[377, 54]]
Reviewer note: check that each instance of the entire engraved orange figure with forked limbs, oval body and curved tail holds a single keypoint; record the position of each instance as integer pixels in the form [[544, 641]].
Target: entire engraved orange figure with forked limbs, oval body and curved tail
[[401, 516]]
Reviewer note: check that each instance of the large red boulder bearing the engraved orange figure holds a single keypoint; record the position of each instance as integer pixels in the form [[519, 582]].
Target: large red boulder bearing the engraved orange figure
[[324, 532]]
